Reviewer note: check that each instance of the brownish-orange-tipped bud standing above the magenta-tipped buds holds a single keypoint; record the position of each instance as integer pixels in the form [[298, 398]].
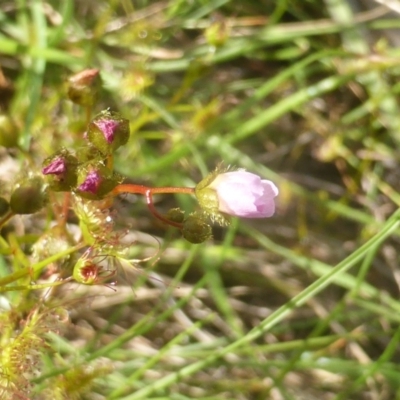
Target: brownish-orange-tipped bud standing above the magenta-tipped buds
[[84, 86]]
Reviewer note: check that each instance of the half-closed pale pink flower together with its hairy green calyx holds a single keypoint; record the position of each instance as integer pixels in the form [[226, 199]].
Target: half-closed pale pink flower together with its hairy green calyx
[[238, 193]]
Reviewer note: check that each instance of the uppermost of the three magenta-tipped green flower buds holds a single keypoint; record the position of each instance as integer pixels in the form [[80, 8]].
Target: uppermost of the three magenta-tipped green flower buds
[[108, 131]]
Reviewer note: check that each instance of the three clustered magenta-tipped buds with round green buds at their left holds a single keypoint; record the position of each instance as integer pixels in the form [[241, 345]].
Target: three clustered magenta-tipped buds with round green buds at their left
[[88, 173]]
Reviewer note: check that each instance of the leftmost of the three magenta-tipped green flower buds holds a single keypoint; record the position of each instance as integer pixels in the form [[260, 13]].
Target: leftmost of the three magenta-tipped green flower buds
[[60, 171]]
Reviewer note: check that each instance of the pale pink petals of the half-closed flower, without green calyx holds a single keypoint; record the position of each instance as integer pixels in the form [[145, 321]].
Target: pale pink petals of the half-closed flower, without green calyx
[[243, 194]]
